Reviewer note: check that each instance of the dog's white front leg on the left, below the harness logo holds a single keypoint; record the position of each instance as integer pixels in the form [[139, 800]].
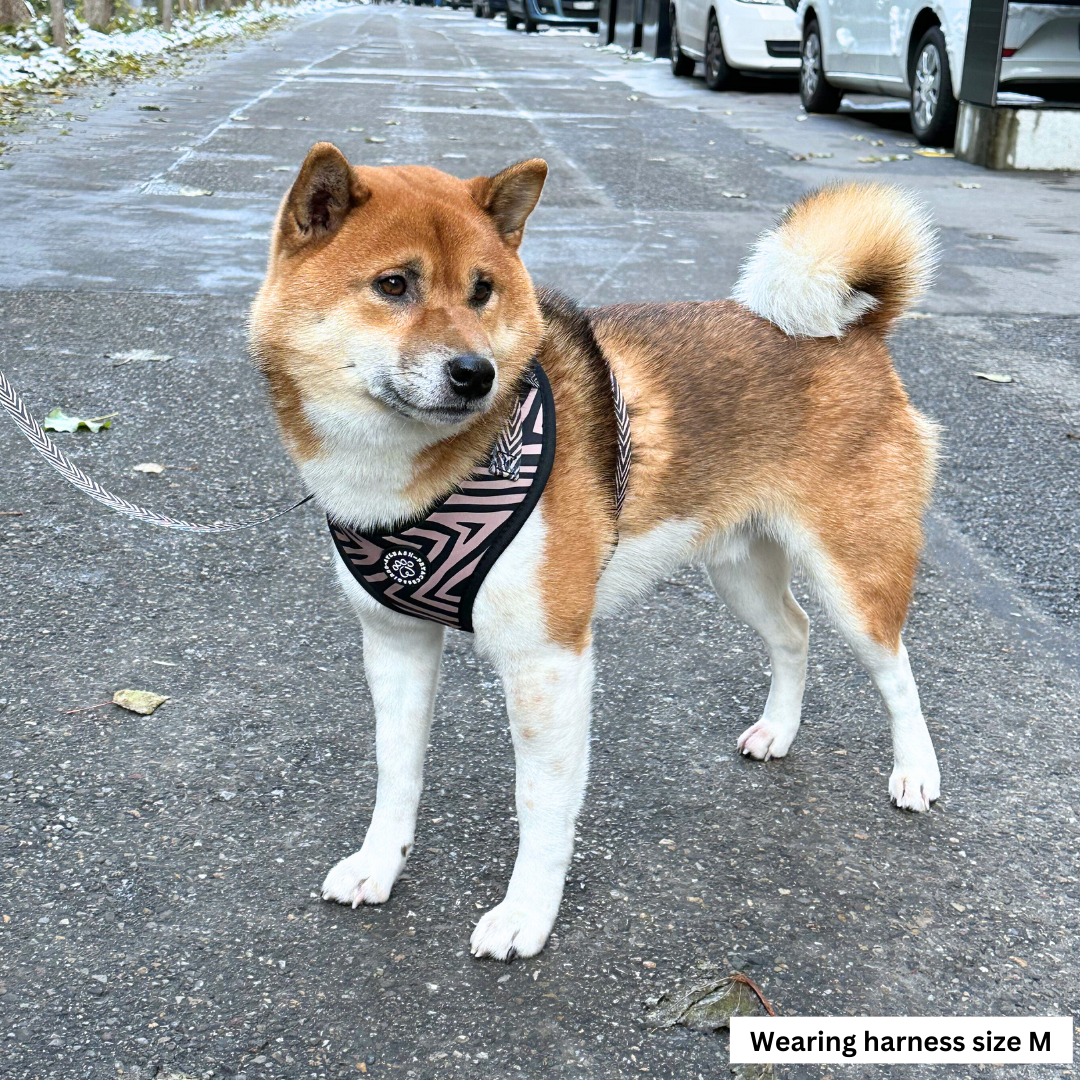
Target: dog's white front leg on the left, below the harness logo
[[402, 658]]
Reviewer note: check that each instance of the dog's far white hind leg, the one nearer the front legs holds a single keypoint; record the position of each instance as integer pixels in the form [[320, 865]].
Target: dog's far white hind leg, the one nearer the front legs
[[753, 582]]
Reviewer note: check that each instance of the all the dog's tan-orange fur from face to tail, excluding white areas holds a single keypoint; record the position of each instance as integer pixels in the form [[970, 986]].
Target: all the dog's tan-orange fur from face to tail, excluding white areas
[[734, 422]]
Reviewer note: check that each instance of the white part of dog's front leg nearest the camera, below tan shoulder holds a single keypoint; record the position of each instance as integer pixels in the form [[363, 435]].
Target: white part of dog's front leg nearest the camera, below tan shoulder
[[548, 699]]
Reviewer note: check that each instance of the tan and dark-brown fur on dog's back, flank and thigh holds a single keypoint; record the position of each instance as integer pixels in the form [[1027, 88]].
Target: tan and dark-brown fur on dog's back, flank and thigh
[[741, 424]]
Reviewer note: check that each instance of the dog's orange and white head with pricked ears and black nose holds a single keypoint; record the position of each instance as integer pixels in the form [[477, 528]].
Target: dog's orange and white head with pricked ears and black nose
[[396, 295]]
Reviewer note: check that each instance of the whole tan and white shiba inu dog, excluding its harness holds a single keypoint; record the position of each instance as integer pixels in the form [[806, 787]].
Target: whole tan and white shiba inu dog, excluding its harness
[[769, 431]]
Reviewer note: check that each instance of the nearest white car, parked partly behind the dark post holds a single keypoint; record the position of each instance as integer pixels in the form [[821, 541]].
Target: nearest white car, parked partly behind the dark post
[[915, 50]]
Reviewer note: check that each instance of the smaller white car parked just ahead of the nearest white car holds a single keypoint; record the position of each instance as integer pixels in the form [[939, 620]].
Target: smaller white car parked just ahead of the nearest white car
[[733, 36]]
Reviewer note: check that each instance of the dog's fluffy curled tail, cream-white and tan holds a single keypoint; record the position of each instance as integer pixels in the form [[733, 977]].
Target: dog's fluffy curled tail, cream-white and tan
[[845, 255]]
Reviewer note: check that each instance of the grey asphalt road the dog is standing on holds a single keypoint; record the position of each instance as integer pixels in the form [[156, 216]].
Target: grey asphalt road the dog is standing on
[[159, 877]]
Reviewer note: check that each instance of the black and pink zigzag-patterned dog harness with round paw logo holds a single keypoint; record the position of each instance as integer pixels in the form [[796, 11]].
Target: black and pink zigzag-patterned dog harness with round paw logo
[[433, 569]]
